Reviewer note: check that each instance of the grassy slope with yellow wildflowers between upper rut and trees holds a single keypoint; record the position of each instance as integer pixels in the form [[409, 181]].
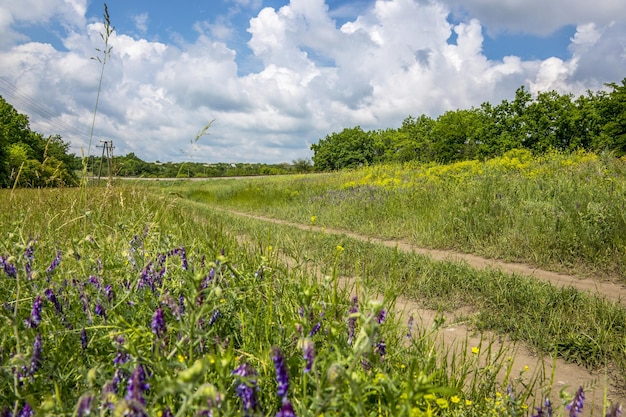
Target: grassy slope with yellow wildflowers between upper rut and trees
[[563, 212]]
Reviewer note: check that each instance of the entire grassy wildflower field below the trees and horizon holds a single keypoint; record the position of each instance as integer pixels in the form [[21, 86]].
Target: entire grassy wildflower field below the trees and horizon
[[161, 298]]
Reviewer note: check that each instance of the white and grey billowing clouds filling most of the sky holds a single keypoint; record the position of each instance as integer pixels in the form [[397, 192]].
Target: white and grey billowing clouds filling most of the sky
[[316, 74]]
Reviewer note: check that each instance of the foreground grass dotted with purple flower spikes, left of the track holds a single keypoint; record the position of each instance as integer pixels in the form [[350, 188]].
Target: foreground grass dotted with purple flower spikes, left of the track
[[140, 304]]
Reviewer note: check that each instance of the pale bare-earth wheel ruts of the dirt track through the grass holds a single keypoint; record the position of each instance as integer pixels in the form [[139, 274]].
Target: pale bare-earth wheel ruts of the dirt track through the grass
[[566, 375]]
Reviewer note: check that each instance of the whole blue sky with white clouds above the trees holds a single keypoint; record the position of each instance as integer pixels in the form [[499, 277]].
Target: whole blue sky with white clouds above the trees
[[276, 76]]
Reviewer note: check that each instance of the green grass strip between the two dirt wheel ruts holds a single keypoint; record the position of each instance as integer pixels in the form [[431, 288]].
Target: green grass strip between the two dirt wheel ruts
[[574, 325]]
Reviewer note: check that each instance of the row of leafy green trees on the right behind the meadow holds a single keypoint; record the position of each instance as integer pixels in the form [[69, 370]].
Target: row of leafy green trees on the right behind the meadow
[[550, 121]]
